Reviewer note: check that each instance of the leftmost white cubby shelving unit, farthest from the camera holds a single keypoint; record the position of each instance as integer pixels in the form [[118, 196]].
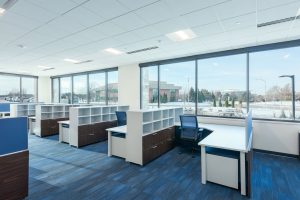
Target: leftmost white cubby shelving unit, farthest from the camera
[[22, 110]]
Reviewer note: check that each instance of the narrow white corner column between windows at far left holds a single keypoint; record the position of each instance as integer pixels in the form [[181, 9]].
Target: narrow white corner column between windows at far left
[[44, 89]]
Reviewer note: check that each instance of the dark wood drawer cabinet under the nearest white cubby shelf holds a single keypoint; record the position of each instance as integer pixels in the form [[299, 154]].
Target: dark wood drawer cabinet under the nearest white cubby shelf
[[158, 143]]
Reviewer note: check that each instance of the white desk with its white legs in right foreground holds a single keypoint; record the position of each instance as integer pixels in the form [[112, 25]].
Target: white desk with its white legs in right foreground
[[229, 138]]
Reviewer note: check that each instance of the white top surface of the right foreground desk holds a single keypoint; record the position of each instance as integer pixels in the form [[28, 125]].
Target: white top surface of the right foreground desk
[[225, 137]]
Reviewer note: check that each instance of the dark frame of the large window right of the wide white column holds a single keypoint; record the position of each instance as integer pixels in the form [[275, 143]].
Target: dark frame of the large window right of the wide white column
[[245, 50]]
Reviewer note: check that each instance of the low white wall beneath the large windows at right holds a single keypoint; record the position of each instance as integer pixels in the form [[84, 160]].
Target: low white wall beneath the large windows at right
[[281, 137]]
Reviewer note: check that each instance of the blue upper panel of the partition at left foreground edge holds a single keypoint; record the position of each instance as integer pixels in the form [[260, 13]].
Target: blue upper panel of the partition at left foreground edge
[[13, 135]]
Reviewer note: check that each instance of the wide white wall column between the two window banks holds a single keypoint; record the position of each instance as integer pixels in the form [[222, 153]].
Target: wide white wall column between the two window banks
[[129, 86]]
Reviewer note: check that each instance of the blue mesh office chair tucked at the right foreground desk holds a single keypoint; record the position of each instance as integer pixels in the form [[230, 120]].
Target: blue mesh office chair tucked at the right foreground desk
[[190, 132]]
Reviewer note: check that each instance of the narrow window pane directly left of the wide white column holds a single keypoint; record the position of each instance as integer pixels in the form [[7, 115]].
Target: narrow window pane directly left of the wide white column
[[112, 87]]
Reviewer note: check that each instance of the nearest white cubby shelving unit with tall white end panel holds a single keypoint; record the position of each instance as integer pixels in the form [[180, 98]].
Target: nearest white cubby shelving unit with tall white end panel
[[144, 122]]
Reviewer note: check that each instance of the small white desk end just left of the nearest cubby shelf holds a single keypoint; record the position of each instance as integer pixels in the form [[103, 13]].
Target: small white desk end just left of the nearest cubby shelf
[[116, 146]]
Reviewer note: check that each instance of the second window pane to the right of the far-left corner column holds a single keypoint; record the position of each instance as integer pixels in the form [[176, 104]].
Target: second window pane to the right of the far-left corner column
[[66, 90]]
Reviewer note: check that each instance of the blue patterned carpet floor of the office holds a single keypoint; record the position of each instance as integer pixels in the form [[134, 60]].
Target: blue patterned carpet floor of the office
[[58, 171]]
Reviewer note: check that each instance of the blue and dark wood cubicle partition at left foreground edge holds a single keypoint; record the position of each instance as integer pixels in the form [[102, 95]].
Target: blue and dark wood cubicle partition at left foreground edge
[[14, 158]]
